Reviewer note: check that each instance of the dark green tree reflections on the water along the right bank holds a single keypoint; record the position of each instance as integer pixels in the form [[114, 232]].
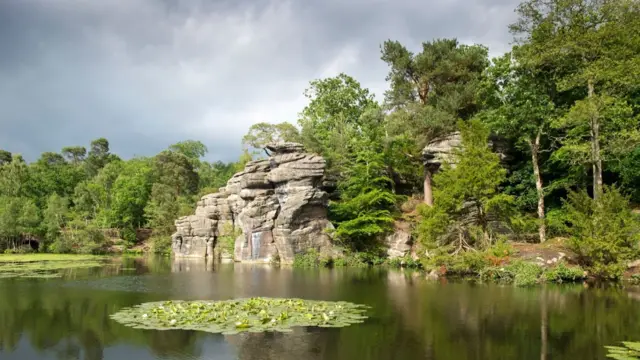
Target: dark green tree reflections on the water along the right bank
[[465, 321]]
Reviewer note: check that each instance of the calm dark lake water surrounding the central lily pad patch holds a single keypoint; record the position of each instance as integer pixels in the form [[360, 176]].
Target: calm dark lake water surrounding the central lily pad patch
[[411, 317]]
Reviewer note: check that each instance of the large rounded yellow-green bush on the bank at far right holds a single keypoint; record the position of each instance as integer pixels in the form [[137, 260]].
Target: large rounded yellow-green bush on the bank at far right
[[604, 232]]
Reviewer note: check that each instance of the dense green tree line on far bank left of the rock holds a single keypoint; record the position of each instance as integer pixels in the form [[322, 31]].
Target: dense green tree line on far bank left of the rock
[[67, 200]]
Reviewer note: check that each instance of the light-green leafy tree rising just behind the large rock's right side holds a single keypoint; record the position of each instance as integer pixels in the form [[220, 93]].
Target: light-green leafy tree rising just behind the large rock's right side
[[332, 117]]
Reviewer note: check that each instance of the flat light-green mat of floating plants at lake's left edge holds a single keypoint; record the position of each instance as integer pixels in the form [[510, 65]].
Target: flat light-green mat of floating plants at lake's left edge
[[44, 265]]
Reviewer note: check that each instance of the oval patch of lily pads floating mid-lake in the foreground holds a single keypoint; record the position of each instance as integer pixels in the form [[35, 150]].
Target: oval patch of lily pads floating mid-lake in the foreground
[[241, 315]]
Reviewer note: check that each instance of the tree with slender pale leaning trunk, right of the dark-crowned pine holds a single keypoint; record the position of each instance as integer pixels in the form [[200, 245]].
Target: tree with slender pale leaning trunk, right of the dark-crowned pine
[[521, 109]]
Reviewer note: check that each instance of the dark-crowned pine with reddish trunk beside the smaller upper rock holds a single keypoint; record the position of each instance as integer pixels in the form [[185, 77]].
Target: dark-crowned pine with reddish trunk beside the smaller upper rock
[[430, 91]]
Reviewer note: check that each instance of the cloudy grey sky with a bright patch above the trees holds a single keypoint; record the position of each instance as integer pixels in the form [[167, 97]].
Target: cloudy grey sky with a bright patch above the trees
[[148, 73]]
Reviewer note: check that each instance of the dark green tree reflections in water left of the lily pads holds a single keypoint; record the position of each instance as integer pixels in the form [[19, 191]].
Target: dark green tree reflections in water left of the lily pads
[[68, 322]]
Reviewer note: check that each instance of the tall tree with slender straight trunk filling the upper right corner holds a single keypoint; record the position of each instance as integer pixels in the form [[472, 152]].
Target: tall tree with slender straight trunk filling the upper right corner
[[587, 47]]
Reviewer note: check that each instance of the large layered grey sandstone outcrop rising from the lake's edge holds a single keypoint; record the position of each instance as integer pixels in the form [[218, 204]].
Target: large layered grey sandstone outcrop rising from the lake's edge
[[275, 208]]
